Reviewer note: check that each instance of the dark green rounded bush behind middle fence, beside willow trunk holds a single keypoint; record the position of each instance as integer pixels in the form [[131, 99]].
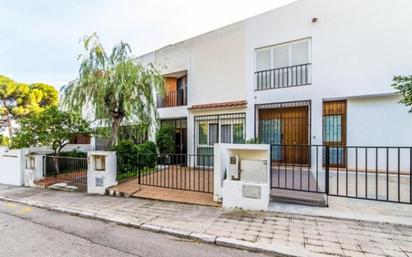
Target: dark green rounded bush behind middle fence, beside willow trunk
[[131, 156]]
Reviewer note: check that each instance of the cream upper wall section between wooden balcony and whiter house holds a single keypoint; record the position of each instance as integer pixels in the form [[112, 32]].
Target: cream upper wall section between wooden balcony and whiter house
[[215, 65]]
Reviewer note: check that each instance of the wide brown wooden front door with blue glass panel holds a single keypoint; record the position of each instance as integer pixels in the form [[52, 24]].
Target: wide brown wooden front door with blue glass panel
[[288, 129]]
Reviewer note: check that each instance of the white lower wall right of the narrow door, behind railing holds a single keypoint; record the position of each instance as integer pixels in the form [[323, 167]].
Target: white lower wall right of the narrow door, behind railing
[[380, 121]]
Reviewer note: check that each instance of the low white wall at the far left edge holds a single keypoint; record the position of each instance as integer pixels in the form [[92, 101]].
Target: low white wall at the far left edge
[[12, 164]]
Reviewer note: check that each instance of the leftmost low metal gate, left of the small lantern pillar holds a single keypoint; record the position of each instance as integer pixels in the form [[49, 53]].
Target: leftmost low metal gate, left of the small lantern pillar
[[66, 169]]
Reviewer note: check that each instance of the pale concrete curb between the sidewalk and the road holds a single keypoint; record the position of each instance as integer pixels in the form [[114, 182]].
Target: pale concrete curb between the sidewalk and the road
[[204, 238]]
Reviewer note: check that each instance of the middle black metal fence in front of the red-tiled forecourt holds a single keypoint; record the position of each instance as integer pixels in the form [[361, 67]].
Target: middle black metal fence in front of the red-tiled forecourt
[[191, 172]]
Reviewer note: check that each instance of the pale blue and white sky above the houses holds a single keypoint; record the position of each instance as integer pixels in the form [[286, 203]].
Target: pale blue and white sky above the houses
[[39, 40]]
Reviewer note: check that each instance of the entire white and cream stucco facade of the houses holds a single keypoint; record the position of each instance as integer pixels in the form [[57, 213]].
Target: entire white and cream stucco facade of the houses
[[356, 49]]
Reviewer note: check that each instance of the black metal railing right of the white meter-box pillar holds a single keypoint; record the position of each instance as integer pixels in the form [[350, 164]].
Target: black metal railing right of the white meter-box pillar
[[381, 173]]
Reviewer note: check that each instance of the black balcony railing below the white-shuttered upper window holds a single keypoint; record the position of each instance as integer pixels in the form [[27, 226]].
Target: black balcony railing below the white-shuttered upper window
[[297, 75]]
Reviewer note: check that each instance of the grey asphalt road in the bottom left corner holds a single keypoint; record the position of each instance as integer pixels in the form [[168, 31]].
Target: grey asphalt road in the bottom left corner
[[28, 231]]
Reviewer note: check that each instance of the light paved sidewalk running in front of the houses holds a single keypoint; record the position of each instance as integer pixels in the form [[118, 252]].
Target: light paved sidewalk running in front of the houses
[[276, 232]]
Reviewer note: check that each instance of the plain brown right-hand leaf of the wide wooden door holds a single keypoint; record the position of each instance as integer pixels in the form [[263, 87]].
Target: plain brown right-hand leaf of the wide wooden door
[[295, 135]]
